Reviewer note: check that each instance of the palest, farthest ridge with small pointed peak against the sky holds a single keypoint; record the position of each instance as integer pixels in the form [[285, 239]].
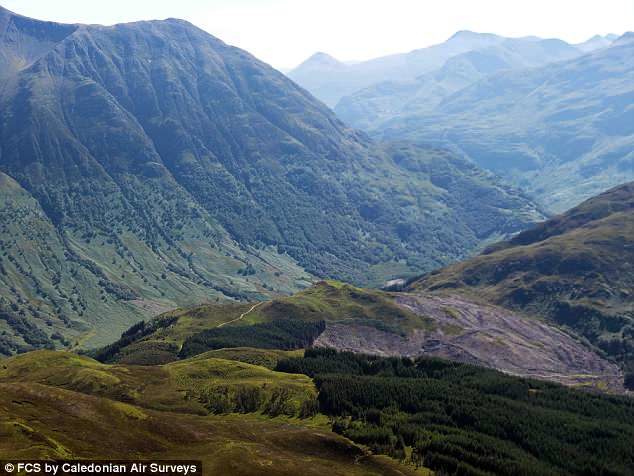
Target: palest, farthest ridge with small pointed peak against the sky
[[330, 80]]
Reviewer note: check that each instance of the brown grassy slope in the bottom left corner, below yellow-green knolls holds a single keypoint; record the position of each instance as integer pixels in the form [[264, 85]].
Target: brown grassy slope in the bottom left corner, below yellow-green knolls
[[40, 421]]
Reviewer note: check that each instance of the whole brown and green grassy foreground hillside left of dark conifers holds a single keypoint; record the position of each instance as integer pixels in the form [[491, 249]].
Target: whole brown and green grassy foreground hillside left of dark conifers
[[62, 406]]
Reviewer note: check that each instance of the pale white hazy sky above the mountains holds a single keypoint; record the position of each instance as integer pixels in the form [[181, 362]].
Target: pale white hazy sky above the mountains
[[285, 32]]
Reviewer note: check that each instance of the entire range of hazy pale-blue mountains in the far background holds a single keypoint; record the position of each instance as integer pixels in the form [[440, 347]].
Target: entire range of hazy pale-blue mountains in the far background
[[550, 117]]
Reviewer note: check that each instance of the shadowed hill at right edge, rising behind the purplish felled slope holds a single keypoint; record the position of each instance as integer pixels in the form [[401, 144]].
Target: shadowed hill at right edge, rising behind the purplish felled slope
[[576, 270]]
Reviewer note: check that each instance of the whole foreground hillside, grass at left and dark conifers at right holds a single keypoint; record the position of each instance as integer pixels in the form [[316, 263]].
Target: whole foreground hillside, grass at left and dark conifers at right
[[245, 419]]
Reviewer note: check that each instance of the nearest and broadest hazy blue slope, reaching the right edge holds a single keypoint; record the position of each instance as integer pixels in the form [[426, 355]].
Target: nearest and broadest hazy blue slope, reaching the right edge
[[564, 131]]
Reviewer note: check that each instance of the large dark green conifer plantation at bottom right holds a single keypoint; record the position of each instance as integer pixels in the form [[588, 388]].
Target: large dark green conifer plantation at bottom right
[[460, 419]]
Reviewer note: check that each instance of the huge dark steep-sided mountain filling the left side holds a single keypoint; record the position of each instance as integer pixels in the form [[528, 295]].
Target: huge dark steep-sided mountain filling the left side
[[151, 166]]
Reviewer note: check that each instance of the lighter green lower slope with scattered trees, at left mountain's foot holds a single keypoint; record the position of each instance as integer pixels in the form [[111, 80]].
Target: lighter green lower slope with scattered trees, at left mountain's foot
[[61, 285]]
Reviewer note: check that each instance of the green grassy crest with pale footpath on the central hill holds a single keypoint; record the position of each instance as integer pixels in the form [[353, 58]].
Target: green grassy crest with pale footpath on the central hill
[[330, 301]]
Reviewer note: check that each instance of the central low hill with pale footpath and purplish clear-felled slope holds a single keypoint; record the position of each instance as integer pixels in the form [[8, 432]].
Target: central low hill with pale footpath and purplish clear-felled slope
[[334, 315]]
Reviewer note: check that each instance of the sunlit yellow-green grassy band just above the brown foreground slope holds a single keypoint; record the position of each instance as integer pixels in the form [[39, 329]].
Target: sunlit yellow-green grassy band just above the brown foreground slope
[[180, 386]]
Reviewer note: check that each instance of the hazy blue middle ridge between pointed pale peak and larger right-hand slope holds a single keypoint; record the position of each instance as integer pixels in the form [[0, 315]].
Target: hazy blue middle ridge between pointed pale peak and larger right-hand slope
[[370, 107]]
